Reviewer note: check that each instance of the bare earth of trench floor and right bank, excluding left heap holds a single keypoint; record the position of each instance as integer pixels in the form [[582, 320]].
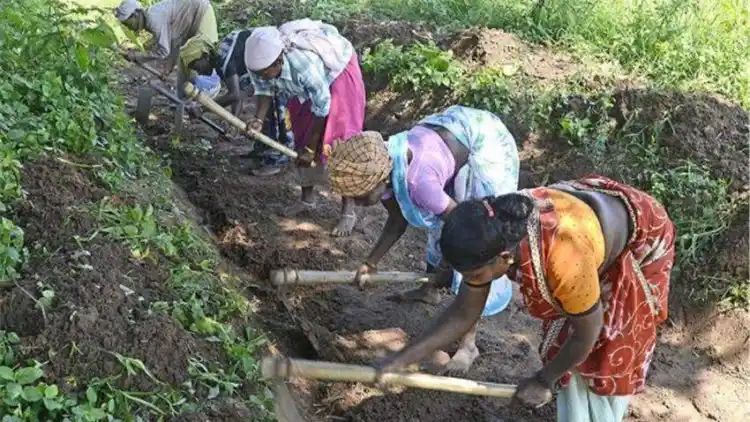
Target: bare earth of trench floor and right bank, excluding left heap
[[700, 371]]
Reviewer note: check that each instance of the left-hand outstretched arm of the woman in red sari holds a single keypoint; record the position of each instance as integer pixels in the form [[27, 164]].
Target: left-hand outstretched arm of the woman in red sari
[[449, 326]]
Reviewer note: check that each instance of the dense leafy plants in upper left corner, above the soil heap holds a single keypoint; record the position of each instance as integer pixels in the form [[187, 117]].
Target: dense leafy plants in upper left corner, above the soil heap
[[55, 106]]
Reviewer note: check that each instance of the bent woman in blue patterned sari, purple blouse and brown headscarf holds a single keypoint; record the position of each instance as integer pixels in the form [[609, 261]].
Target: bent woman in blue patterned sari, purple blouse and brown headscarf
[[420, 175]]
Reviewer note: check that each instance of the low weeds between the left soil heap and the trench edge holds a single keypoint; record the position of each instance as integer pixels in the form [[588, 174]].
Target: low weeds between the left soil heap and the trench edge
[[205, 304]]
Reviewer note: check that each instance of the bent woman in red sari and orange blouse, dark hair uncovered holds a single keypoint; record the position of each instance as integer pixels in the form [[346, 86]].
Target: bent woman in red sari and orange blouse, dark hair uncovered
[[593, 258]]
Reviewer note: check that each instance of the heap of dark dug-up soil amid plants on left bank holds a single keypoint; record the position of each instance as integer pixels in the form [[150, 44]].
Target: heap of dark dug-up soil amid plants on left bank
[[101, 298]]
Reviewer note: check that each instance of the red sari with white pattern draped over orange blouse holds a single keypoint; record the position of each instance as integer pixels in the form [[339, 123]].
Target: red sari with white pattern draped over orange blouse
[[634, 289]]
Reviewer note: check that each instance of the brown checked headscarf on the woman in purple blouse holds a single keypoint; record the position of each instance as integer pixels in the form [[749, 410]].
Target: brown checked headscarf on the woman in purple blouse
[[357, 166]]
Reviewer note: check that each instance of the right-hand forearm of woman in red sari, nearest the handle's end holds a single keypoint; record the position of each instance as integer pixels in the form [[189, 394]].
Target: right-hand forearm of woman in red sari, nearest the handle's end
[[575, 350]]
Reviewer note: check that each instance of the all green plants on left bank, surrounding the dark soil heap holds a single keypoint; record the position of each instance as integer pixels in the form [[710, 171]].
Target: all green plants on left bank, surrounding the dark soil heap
[[58, 100]]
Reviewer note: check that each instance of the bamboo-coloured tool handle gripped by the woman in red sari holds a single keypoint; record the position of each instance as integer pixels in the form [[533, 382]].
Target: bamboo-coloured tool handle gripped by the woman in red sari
[[330, 371]]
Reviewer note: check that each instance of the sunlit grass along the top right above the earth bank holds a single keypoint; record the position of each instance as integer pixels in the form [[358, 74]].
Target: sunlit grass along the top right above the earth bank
[[683, 44]]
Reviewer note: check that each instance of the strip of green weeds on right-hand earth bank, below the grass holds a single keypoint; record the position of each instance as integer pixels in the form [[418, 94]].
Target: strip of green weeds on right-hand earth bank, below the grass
[[701, 205]]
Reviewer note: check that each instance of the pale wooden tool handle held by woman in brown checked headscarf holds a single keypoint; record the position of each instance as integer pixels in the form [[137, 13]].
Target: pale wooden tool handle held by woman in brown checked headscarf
[[290, 277]]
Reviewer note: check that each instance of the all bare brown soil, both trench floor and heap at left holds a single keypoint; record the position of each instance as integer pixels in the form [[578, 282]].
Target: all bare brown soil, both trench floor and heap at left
[[700, 370]]
